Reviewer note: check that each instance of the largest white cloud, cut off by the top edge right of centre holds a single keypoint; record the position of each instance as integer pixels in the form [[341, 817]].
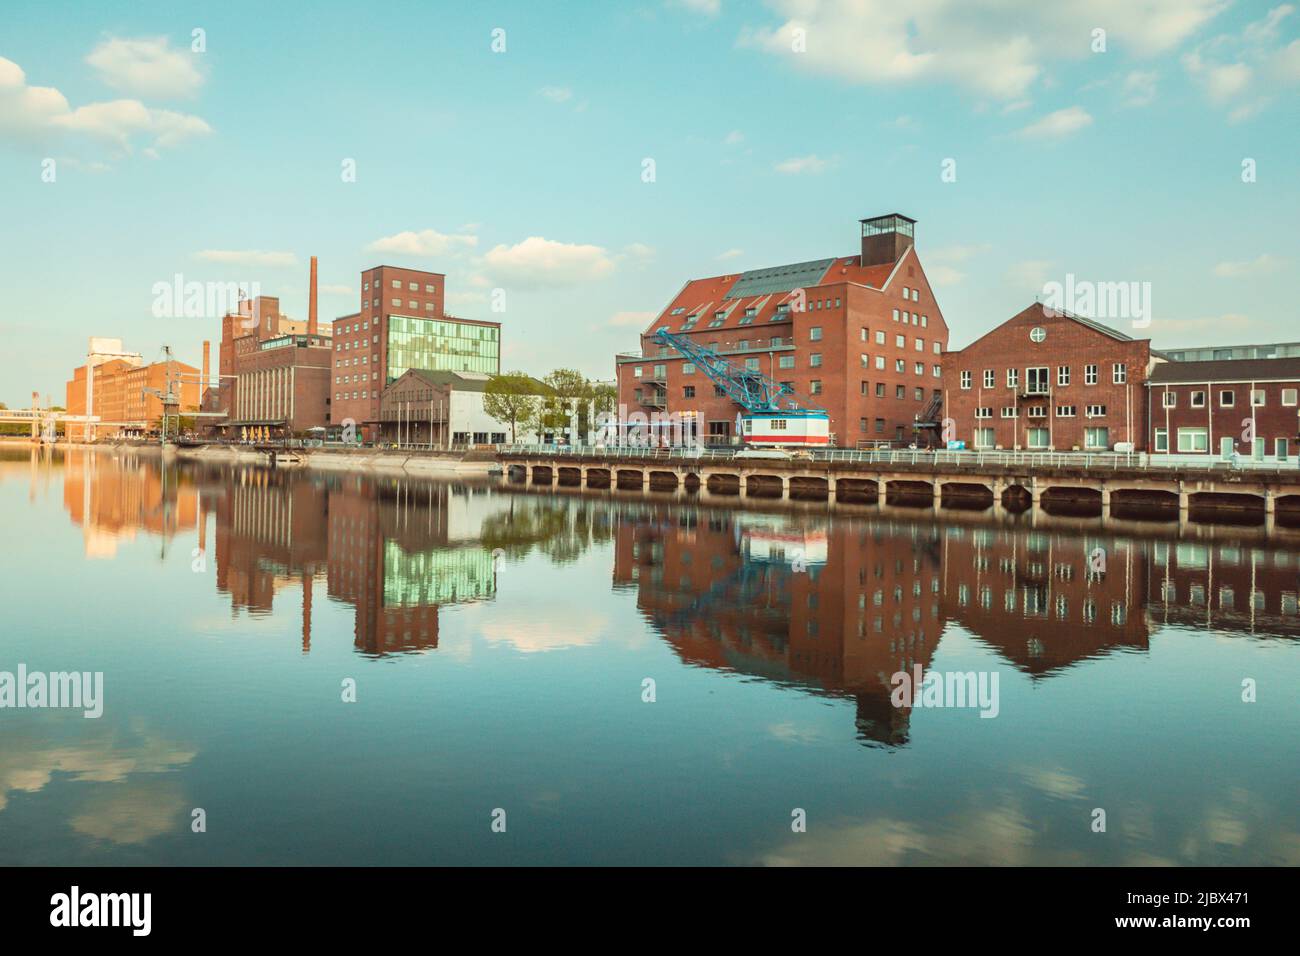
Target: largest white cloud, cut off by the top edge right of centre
[[999, 51]]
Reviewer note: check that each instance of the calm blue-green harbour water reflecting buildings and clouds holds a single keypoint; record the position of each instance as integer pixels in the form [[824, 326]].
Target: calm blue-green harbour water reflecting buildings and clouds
[[515, 681]]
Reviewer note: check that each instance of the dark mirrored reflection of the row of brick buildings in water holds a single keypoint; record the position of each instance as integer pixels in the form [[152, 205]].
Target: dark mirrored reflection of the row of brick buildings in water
[[830, 604]]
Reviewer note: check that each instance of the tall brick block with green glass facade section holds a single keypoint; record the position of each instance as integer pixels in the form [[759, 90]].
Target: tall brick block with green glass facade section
[[402, 325]]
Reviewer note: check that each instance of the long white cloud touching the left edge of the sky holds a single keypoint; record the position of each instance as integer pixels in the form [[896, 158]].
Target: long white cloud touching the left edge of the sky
[[42, 114]]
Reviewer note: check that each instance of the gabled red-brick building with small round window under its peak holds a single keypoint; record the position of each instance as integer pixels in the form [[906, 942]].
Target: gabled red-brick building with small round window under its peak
[[1047, 380]]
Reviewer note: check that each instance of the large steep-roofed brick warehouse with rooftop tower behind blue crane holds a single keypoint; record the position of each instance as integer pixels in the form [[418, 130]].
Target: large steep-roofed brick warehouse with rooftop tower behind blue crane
[[860, 336]]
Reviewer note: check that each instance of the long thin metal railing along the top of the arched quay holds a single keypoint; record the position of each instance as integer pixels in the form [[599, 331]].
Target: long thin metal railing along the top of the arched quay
[[1098, 461]]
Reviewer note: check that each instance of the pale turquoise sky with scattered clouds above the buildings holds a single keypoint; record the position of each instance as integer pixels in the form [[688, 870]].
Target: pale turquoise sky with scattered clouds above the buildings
[[570, 167]]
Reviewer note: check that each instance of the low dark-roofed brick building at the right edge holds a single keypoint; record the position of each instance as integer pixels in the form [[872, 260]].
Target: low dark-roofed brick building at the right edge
[[1249, 406]]
